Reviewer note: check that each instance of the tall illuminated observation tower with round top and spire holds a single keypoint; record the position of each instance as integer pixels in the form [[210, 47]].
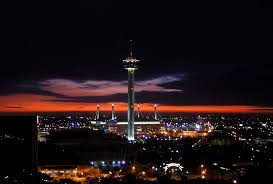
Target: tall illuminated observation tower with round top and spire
[[131, 65]]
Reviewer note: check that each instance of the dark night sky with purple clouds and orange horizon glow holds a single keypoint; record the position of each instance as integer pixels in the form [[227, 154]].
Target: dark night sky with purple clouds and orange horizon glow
[[195, 55]]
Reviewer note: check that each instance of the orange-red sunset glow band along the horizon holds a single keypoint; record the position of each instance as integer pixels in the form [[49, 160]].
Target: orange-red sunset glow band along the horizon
[[29, 103]]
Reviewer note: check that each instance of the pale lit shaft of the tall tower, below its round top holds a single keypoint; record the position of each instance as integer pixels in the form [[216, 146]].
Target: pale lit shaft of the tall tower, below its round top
[[131, 103]]
